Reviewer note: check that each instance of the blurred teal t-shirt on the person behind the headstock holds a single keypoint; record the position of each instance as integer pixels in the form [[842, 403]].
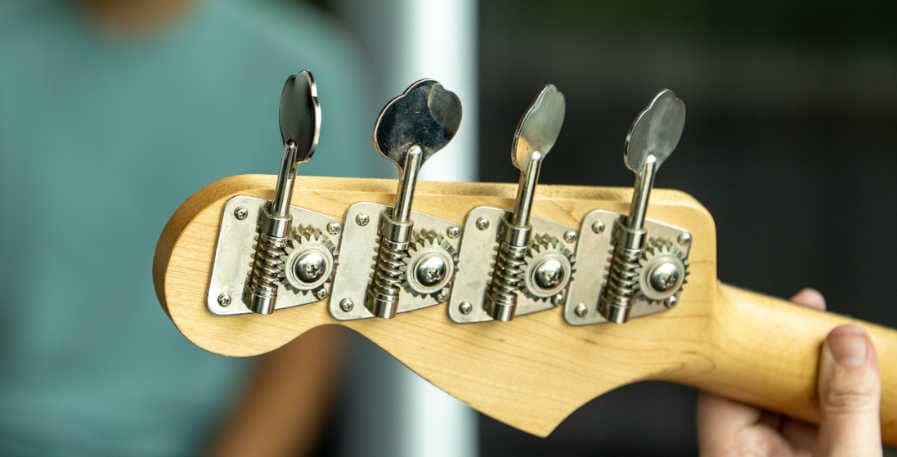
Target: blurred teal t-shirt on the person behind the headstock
[[101, 139]]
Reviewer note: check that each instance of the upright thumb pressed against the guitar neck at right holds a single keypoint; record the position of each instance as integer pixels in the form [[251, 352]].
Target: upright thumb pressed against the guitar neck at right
[[849, 393]]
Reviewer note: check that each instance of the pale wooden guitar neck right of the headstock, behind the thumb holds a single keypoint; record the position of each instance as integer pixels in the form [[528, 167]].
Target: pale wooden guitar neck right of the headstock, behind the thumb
[[765, 351]]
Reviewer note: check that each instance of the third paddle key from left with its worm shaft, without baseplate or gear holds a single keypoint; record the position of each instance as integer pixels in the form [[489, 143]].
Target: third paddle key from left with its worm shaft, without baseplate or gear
[[535, 136]]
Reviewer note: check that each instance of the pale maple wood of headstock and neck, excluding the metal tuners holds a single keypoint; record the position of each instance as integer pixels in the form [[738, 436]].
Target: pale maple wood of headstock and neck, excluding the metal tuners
[[536, 370]]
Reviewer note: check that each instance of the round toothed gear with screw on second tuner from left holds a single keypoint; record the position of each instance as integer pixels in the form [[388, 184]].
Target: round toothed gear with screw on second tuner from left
[[432, 262]]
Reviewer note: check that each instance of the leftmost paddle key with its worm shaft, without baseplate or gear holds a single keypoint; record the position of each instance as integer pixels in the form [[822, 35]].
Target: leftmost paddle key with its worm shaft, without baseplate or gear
[[300, 125]]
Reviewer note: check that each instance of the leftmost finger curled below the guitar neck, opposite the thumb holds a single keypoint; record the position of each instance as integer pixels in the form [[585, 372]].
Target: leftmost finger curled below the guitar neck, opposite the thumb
[[720, 420]]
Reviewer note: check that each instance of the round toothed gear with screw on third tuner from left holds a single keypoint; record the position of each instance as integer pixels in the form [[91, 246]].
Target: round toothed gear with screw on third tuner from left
[[548, 268]]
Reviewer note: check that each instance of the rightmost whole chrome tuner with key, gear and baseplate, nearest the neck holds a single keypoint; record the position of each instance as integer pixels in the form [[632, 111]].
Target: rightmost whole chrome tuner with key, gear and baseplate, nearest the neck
[[649, 260]]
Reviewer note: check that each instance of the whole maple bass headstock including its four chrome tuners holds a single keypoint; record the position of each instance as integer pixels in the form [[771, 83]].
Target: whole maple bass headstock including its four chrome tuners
[[487, 290]]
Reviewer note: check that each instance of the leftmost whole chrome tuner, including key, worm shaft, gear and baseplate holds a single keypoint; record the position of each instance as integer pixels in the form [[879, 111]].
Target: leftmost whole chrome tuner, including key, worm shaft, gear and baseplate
[[271, 255]]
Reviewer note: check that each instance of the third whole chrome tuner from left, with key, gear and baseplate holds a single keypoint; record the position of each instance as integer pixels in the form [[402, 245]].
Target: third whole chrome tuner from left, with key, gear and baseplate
[[531, 259]]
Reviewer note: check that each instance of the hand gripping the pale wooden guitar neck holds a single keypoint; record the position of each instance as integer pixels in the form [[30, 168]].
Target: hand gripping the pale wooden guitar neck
[[849, 393]]
